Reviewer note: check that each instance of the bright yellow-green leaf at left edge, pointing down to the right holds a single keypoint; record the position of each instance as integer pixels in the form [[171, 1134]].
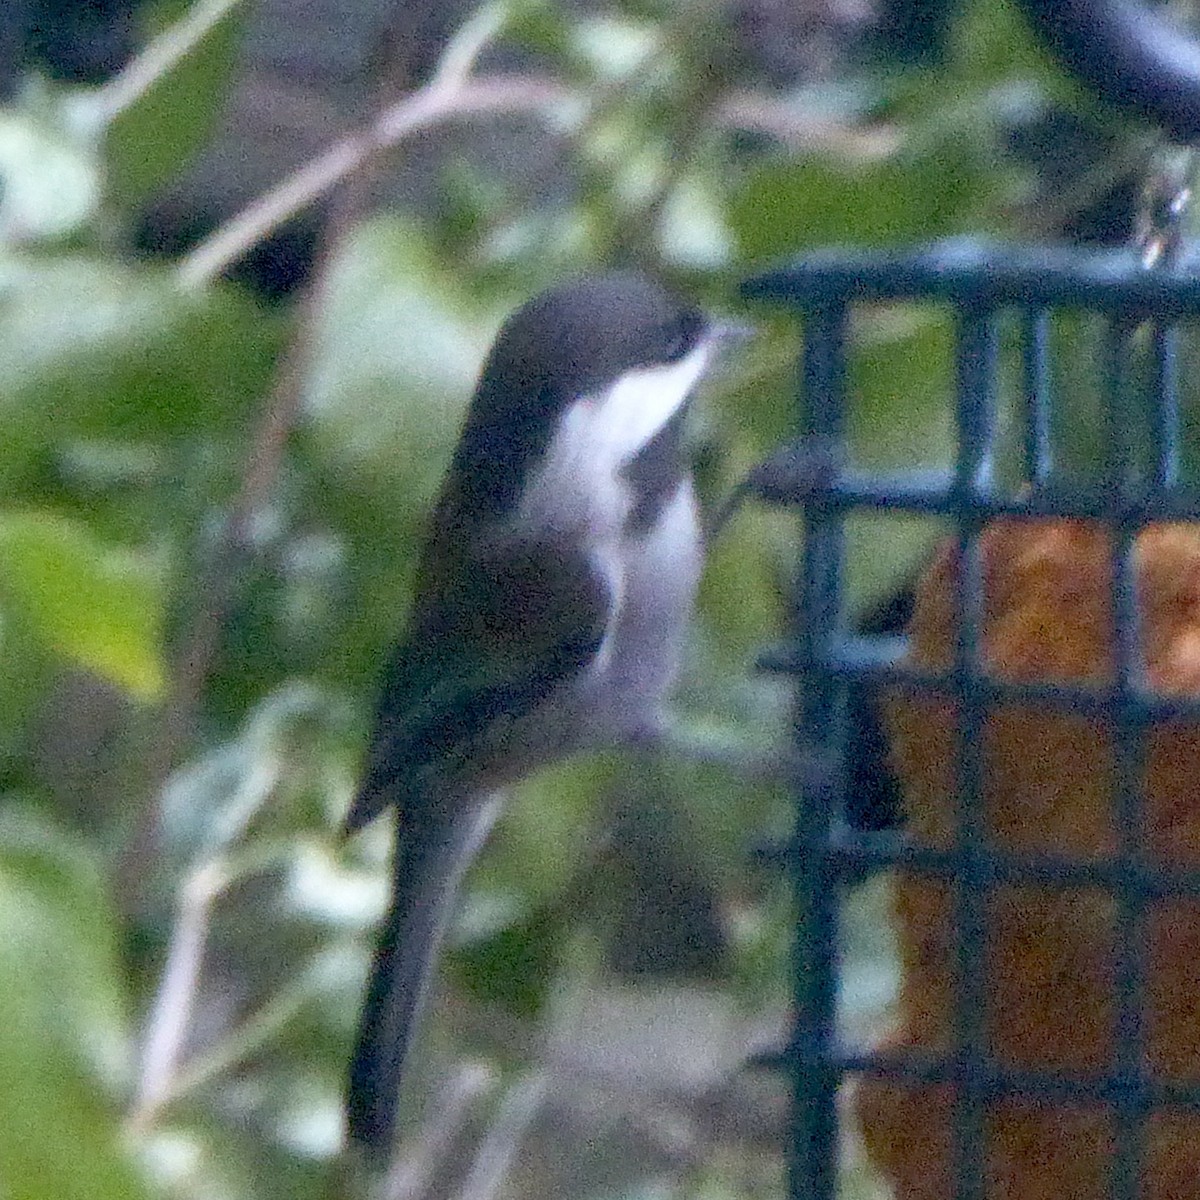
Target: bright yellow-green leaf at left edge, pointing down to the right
[[95, 605]]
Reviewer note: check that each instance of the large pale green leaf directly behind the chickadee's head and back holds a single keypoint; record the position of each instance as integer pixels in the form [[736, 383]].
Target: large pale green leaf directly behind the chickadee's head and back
[[394, 361]]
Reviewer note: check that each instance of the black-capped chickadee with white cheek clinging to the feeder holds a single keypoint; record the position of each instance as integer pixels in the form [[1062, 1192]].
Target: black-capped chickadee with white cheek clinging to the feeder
[[551, 599]]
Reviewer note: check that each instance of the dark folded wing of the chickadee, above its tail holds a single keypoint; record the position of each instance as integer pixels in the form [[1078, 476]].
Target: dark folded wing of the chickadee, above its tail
[[526, 617]]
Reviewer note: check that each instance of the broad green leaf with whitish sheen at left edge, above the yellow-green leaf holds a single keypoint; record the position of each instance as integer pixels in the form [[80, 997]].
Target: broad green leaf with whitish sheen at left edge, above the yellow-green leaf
[[93, 347]]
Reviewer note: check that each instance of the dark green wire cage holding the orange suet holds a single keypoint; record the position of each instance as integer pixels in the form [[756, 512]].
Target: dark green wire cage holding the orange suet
[[1013, 460]]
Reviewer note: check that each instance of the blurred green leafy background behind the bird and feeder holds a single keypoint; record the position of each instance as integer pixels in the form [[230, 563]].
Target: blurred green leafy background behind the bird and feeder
[[218, 452]]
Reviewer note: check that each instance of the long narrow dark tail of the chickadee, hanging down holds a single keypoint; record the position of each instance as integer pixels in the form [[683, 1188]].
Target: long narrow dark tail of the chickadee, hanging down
[[434, 850]]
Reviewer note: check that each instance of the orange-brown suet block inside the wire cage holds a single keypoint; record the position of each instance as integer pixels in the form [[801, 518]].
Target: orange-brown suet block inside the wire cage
[[1048, 789]]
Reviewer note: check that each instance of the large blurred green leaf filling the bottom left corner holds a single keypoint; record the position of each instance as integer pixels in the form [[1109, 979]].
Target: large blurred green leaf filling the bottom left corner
[[63, 1036]]
